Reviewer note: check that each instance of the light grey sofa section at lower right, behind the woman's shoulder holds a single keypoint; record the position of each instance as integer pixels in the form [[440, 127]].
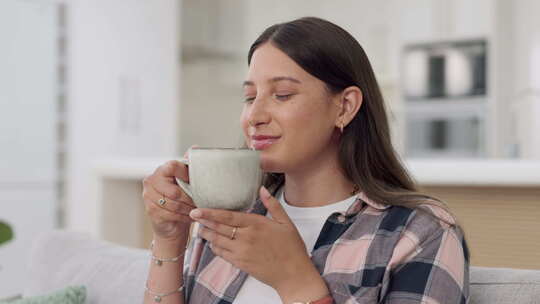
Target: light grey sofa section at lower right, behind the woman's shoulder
[[503, 285]]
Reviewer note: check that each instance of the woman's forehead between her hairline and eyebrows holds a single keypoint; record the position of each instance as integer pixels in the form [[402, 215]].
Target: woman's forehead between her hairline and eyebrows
[[269, 62]]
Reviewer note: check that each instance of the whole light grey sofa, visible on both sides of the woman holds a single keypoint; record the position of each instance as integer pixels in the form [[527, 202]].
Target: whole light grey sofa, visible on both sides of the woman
[[115, 274]]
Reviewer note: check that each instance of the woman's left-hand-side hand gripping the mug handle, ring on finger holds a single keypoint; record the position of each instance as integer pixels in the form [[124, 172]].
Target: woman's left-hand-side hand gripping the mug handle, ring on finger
[[170, 221]]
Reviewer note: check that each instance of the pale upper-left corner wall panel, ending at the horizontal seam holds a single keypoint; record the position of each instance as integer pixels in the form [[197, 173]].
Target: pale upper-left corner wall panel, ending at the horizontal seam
[[27, 92]]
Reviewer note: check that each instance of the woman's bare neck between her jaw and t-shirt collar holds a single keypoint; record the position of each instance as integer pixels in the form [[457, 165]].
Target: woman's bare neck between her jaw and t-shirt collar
[[321, 184]]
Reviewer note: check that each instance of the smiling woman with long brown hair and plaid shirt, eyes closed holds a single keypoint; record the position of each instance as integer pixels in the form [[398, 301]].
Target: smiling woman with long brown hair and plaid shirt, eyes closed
[[341, 221]]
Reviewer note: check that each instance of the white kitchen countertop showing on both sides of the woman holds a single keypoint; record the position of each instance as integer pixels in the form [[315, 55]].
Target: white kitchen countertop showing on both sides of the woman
[[449, 172]]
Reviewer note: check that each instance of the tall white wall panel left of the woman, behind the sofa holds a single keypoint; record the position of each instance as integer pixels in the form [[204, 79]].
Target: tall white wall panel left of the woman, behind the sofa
[[123, 91]]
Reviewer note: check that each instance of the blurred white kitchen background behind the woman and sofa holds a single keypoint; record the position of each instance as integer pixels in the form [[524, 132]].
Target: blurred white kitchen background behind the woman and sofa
[[96, 94]]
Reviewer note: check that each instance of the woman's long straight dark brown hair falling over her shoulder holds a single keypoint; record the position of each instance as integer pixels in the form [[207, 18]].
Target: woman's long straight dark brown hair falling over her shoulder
[[366, 154]]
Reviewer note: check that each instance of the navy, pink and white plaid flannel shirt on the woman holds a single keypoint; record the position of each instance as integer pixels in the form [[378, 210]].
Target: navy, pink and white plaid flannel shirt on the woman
[[372, 253]]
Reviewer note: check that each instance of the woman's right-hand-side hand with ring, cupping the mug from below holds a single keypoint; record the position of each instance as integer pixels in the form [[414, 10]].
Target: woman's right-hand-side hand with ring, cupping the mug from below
[[270, 250]]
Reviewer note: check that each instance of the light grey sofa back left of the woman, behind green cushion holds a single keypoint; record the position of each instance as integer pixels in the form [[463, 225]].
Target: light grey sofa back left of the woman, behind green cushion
[[109, 272]]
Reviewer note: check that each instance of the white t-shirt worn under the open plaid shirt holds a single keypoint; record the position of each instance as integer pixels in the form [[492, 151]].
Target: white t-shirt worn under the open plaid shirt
[[309, 222]]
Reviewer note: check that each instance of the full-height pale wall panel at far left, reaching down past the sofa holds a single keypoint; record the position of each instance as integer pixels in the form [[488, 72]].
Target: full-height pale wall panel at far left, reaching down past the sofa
[[28, 145]]
